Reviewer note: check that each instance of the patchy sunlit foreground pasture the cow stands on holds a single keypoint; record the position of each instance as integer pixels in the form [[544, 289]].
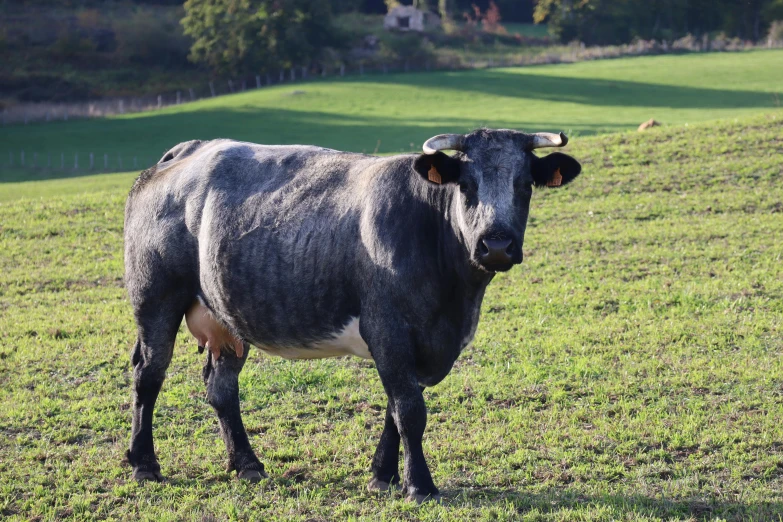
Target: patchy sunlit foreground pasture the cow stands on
[[631, 369]]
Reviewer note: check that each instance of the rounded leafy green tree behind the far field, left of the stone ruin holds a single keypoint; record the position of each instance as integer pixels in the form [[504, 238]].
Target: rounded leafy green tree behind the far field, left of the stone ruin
[[243, 36]]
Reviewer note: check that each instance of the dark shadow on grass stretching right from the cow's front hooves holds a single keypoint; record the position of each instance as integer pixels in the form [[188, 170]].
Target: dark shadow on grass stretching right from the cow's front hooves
[[555, 500]]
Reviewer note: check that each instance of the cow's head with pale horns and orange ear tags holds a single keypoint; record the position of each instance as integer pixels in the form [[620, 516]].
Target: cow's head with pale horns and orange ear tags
[[495, 171]]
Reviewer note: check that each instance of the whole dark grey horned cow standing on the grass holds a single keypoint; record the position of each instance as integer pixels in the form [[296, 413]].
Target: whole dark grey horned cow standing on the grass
[[306, 252]]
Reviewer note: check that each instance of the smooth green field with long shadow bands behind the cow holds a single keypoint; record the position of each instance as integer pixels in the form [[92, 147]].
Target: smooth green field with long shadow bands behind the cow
[[398, 112]]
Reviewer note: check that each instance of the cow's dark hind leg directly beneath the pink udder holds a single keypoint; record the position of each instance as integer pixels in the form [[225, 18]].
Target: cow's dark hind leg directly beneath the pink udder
[[222, 379]]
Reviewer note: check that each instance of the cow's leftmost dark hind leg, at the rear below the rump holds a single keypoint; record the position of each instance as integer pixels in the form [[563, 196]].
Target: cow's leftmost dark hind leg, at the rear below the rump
[[158, 321]]
